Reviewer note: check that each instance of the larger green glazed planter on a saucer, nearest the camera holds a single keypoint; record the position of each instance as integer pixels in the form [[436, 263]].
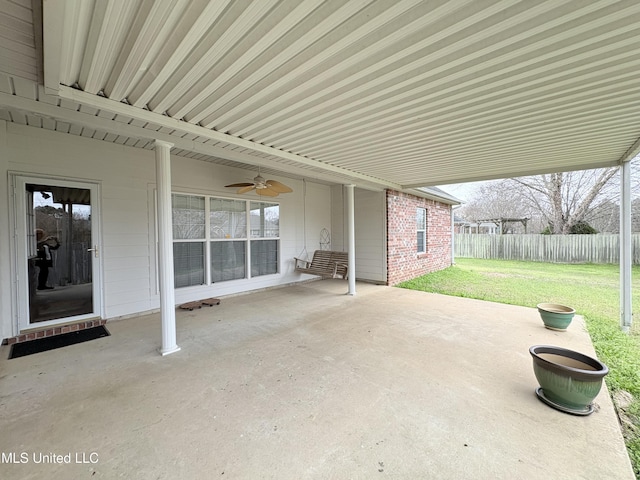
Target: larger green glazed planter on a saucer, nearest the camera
[[569, 381]]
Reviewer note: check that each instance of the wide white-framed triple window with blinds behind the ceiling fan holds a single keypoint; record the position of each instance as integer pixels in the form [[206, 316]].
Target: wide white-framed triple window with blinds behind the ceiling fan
[[217, 239]]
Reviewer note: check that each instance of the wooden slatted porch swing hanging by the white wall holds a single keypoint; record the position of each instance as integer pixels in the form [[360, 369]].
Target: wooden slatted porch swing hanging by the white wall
[[325, 262]]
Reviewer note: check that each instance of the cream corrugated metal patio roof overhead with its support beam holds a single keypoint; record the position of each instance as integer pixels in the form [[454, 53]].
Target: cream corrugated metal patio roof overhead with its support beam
[[397, 94]]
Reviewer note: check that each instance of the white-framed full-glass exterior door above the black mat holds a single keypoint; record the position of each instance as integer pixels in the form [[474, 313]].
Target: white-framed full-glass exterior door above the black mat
[[57, 251]]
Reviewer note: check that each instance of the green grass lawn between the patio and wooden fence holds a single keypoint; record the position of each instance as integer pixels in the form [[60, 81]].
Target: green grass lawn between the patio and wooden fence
[[593, 290]]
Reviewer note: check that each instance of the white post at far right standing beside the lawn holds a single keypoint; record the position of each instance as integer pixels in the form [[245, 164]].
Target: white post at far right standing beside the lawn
[[625, 247]]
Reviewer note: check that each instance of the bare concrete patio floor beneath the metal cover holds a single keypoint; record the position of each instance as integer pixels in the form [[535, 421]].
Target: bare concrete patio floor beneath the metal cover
[[305, 382]]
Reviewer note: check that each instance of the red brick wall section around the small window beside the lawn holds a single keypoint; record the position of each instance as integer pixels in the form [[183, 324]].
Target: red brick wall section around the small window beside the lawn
[[403, 260]]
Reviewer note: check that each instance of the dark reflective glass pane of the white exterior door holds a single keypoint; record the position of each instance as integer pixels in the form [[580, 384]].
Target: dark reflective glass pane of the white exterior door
[[59, 260]]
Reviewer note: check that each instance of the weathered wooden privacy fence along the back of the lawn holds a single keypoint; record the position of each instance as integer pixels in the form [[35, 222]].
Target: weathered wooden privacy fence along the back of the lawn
[[601, 248]]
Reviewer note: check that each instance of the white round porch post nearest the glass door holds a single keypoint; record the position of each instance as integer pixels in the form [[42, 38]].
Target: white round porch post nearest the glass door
[[165, 248]]
